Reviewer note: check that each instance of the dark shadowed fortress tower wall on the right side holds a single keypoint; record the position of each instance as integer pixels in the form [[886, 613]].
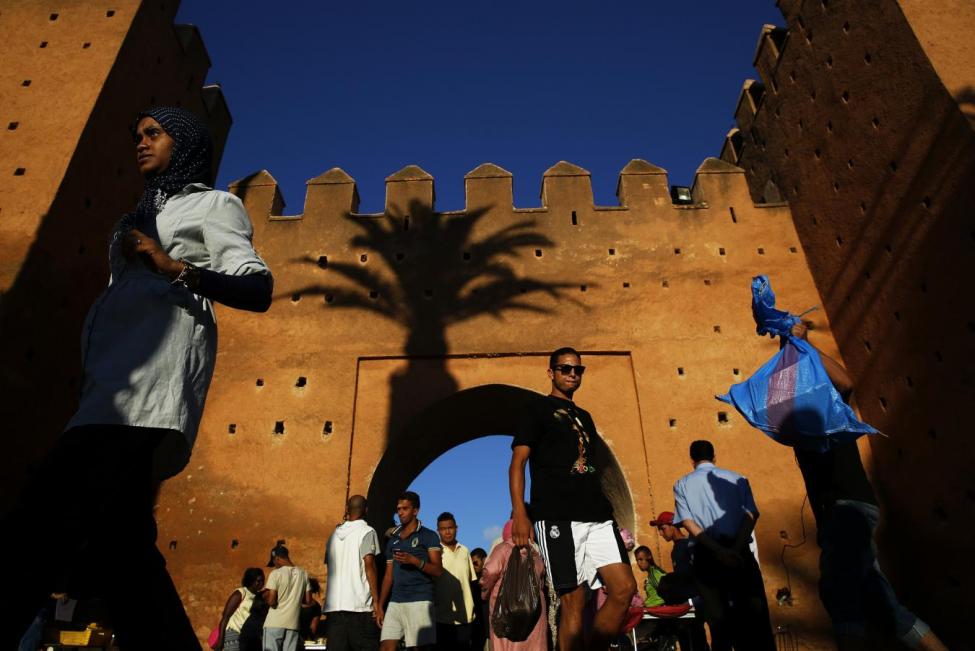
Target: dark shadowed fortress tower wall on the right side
[[863, 123]]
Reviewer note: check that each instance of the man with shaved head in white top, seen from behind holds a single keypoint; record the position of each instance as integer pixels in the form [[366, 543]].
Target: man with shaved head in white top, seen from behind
[[354, 613]]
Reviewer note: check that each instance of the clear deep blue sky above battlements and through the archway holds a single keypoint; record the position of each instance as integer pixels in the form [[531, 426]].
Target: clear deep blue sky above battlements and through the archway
[[373, 86]]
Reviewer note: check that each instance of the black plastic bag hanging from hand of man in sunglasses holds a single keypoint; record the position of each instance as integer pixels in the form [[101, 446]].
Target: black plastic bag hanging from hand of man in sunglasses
[[519, 602]]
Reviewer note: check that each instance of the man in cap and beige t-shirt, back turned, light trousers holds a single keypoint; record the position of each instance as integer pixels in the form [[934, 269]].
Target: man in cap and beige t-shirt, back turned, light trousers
[[287, 588]]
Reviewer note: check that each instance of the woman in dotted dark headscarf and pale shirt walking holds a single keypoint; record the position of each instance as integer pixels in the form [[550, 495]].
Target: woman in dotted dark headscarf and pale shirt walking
[[148, 351]]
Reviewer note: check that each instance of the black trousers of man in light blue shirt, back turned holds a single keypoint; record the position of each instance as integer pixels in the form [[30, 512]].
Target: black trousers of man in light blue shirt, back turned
[[734, 603]]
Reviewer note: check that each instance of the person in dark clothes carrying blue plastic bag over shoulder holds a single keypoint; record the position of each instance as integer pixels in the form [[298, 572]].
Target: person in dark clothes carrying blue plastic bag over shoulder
[[800, 399]]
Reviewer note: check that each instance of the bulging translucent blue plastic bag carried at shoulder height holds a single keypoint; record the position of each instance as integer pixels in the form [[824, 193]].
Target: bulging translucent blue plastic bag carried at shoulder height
[[790, 397]]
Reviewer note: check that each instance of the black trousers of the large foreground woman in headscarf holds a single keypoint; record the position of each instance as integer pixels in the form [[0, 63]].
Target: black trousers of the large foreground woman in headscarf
[[84, 525]]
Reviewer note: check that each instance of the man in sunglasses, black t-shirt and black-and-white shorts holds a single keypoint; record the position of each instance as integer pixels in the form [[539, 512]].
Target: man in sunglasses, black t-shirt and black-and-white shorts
[[573, 518]]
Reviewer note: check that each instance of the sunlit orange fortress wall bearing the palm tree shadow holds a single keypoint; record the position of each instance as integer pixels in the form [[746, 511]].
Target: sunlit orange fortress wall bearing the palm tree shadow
[[665, 286]]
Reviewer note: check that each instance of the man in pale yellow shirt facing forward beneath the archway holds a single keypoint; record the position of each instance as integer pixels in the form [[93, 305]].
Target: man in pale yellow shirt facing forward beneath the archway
[[455, 603]]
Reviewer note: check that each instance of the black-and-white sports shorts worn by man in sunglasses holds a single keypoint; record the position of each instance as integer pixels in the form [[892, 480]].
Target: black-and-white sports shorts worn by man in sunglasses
[[574, 551]]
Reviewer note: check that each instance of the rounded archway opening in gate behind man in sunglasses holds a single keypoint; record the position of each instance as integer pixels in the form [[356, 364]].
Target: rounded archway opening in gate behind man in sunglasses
[[485, 412]]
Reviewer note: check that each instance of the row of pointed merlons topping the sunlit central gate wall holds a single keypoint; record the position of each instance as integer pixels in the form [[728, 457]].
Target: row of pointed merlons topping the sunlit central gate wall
[[639, 184]]
